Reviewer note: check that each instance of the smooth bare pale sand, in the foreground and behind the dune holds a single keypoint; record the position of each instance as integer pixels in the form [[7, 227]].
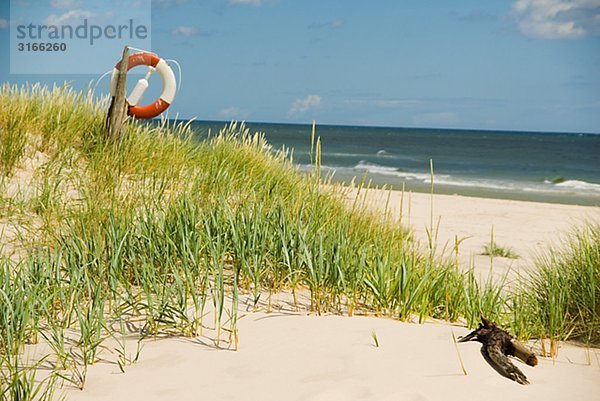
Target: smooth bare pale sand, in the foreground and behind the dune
[[298, 357]]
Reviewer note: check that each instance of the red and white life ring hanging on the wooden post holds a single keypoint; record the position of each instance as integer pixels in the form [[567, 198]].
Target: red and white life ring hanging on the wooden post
[[154, 63]]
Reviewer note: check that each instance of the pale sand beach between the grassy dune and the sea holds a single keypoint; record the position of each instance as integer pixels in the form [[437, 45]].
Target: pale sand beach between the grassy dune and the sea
[[527, 228]]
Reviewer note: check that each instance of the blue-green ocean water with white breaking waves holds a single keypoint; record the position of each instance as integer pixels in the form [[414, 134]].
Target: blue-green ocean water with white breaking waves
[[536, 166]]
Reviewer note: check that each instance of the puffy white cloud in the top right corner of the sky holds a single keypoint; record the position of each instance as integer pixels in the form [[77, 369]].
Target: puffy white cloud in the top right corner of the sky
[[557, 19]]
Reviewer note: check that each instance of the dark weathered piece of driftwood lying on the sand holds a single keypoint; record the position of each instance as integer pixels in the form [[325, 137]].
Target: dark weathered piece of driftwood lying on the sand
[[498, 345]]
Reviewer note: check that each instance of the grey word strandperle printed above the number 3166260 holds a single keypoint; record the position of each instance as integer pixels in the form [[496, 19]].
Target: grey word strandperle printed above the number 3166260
[[86, 30]]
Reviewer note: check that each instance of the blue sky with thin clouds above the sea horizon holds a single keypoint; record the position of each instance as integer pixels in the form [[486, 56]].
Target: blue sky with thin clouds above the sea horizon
[[531, 65]]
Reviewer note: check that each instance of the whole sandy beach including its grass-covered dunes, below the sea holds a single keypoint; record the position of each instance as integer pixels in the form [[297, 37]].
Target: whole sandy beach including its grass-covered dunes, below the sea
[[164, 268]]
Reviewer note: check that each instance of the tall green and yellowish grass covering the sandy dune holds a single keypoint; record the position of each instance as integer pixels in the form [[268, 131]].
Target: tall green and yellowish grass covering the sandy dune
[[160, 234]]
